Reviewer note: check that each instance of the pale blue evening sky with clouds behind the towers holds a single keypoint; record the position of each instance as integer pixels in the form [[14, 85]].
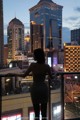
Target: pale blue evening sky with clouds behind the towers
[[71, 10]]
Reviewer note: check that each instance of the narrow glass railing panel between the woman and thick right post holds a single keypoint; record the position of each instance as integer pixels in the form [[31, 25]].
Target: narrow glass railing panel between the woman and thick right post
[[56, 98]]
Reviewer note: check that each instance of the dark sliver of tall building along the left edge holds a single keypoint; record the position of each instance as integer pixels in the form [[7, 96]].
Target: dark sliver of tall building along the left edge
[[1, 34]]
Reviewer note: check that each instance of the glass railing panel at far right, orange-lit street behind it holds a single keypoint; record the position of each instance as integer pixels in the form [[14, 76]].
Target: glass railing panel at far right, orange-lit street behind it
[[71, 96]]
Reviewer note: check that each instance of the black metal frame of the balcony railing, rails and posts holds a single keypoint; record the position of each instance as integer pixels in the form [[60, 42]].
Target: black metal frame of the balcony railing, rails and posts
[[62, 90]]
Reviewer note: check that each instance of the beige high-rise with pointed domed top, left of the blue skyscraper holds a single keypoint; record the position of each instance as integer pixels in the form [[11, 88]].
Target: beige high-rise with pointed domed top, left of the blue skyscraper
[[15, 37]]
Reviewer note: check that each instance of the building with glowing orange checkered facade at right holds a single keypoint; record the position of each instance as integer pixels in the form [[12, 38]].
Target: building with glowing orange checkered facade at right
[[71, 58]]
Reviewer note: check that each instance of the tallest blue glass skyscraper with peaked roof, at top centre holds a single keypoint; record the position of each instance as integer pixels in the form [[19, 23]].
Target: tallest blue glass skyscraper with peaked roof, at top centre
[[49, 14]]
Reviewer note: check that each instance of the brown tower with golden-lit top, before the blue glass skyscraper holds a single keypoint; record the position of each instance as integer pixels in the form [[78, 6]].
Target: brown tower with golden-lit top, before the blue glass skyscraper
[[36, 36]]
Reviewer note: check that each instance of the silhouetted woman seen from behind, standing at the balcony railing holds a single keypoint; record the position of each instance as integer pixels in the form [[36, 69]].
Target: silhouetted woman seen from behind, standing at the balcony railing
[[39, 89]]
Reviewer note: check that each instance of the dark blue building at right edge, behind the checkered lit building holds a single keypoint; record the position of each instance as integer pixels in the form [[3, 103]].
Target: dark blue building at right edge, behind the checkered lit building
[[75, 35]]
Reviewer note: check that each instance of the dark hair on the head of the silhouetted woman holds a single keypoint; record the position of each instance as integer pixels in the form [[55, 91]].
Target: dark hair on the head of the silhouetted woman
[[39, 55]]
